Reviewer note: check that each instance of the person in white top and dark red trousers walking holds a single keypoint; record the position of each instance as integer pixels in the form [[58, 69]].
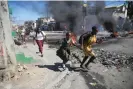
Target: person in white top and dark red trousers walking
[[40, 36]]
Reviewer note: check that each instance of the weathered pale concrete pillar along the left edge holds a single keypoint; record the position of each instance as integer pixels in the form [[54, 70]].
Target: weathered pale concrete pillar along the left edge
[[7, 57]]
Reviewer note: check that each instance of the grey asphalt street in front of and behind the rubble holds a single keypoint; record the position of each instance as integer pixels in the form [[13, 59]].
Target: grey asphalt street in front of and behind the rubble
[[103, 77]]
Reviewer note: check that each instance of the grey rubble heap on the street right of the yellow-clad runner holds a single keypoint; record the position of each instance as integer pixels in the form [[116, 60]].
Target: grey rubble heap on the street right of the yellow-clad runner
[[113, 59]]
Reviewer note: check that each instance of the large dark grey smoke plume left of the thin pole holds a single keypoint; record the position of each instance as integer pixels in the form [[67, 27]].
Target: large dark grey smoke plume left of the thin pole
[[66, 11]]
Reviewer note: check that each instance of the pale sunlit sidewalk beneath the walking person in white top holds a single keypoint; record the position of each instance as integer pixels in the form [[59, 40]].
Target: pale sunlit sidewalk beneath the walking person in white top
[[44, 73]]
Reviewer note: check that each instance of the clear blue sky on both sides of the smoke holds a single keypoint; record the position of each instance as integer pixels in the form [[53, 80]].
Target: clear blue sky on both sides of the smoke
[[31, 10]]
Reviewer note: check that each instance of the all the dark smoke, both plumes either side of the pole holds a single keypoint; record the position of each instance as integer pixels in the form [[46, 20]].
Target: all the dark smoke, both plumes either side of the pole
[[71, 13]]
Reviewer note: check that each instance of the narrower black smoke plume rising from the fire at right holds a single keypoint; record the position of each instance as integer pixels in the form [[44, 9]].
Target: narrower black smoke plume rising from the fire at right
[[105, 17]]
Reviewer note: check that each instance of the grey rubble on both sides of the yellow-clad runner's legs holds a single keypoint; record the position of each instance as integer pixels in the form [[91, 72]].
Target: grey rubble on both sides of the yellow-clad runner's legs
[[106, 58]]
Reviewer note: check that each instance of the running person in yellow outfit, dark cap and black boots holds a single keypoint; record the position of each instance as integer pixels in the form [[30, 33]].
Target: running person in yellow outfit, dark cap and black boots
[[87, 47]]
